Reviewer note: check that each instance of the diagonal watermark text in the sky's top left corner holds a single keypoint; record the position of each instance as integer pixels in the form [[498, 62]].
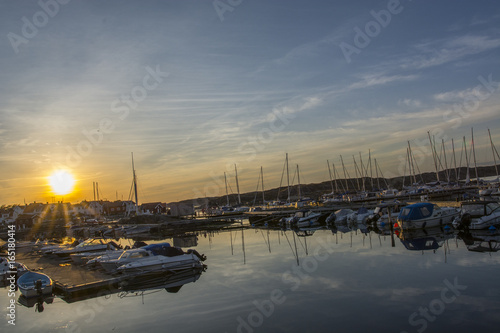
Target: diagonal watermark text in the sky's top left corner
[[30, 28]]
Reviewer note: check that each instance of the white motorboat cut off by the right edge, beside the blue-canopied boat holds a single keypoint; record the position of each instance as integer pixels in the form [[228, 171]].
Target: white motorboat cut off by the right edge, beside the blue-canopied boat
[[478, 215]]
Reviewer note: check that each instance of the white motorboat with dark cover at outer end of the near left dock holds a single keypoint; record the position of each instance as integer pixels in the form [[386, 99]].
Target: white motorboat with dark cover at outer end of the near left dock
[[171, 258]]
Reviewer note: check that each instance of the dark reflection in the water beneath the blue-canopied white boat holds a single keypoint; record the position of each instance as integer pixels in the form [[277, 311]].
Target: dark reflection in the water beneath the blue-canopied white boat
[[426, 239]]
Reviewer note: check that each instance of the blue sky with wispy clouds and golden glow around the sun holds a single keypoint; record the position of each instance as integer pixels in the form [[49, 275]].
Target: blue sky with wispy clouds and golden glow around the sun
[[194, 88]]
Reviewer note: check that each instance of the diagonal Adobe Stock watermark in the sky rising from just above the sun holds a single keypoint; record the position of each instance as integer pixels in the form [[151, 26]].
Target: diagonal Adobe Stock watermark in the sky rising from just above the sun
[[121, 107]]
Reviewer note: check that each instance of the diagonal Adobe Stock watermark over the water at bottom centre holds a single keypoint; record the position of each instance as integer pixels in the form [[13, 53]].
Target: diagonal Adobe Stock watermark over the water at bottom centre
[[293, 278]]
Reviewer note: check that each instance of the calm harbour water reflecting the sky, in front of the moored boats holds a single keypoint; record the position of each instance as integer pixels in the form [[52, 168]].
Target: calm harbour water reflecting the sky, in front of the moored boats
[[343, 282]]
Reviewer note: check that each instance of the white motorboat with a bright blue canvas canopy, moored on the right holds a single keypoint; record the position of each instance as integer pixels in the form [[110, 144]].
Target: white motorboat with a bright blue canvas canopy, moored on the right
[[425, 215]]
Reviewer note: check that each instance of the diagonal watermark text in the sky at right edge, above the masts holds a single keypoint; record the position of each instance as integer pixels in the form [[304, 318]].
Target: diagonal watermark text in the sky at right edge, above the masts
[[471, 101]]
